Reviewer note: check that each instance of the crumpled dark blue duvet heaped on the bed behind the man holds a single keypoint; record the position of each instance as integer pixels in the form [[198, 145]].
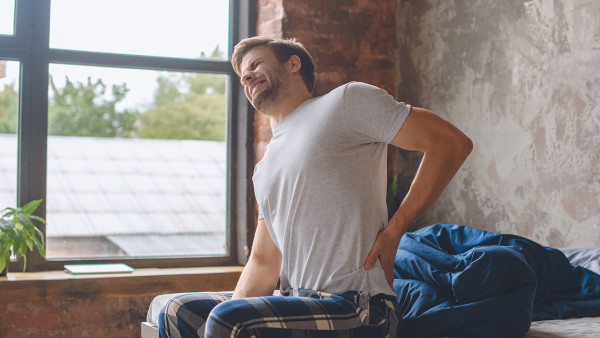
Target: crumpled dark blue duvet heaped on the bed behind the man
[[455, 280]]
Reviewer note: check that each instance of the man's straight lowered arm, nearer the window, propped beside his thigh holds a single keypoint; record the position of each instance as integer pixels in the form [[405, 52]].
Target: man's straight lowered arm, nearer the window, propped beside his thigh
[[261, 273]]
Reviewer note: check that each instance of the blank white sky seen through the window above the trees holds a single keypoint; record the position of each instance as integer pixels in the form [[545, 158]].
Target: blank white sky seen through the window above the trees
[[173, 28]]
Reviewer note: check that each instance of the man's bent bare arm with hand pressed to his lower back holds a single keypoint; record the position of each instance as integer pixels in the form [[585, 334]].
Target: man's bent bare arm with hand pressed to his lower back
[[445, 148]]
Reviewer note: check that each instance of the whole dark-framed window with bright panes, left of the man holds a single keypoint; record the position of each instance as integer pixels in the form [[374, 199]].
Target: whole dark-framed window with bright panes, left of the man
[[133, 130]]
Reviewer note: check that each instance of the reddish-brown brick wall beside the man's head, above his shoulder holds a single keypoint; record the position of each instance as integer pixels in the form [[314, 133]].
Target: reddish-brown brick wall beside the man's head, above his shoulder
[[351, 40]]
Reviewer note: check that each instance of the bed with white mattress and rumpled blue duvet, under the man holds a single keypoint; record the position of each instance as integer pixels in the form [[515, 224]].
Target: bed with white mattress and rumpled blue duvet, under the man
[[449, 318]]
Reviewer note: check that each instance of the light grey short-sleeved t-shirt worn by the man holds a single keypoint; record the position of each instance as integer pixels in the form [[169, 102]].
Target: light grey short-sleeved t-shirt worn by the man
[[321, 188]]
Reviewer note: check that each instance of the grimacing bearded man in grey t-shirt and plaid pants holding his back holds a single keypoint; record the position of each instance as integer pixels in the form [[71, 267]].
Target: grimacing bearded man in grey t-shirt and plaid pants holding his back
[[322, 228]]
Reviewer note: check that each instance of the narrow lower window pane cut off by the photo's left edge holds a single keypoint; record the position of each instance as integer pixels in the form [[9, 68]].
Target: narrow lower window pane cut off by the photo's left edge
[[9, 121]]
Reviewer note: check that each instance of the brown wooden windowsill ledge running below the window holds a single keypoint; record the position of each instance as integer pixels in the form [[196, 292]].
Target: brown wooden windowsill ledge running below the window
[[20, 287]]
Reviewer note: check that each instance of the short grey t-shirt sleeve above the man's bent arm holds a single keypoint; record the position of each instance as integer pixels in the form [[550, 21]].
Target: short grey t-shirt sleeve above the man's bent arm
[[371, 114]]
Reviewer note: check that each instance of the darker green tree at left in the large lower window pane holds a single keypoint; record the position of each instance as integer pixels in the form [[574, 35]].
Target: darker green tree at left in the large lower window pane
[[81, 109]]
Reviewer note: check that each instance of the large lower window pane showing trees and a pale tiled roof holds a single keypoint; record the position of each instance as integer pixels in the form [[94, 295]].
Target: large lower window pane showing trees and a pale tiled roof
[[136, 163]]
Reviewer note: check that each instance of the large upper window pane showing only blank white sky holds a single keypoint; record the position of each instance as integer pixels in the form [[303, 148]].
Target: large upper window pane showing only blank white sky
[[176, 28]]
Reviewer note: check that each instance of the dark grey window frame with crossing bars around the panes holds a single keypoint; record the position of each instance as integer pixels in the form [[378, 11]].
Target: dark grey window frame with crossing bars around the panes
[[30, 45]]
